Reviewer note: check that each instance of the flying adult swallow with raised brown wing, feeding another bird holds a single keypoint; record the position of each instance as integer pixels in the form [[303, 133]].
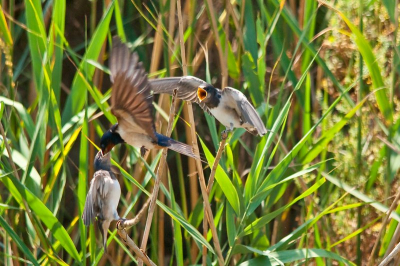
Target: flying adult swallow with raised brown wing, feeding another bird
[[132, 104]]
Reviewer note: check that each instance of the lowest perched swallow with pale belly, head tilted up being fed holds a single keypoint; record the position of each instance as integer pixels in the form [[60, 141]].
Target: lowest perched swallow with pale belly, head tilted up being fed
[[103, 196]]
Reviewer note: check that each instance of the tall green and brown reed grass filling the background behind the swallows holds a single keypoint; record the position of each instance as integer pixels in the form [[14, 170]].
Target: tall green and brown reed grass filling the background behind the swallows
[[316, 189]]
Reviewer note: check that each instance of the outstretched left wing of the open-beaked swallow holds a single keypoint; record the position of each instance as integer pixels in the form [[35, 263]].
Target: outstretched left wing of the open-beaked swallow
[[186, 87]]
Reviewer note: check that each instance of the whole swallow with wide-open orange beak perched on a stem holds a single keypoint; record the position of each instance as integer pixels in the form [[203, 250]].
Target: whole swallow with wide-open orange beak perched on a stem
[[229, 106]]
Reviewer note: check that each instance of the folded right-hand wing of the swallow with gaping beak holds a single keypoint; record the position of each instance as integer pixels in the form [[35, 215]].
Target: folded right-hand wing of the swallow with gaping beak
[[250, 118]]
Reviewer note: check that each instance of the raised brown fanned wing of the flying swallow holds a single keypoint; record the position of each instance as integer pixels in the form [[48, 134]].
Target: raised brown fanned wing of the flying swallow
[[131, 93]]
